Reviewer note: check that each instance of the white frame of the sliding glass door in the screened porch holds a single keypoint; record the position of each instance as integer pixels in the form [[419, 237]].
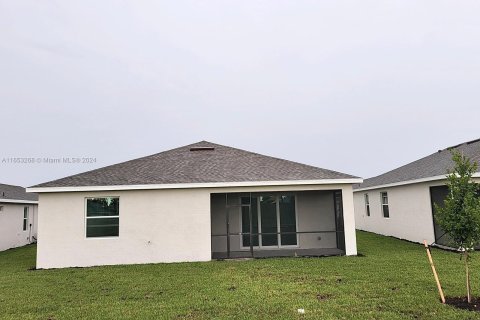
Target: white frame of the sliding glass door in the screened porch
[[259, 216]]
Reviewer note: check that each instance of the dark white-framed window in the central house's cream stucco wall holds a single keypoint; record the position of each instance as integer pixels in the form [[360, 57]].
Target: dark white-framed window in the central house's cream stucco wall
[[102, 217]]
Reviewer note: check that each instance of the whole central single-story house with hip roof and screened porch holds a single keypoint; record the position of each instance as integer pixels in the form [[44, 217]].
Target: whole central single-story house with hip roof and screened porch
[[195, 203]]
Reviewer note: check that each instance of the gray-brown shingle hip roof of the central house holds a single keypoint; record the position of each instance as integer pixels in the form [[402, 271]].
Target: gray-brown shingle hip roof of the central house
[[181, 165]]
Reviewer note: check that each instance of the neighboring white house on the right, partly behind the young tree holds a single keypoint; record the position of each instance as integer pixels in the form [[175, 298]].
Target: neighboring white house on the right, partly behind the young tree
[[399, 203]]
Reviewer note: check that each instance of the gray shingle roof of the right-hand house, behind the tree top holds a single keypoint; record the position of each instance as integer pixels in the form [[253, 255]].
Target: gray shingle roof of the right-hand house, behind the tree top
[[432, 167]]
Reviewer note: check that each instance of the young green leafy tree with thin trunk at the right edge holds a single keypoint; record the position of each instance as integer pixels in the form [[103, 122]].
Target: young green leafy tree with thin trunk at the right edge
[[460, 215]]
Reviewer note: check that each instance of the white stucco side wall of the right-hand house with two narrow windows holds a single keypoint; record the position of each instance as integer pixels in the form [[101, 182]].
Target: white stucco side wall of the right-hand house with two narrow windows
[[410, 212]]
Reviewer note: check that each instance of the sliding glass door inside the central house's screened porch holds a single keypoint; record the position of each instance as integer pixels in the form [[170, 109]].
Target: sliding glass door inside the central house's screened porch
[[274, 216]]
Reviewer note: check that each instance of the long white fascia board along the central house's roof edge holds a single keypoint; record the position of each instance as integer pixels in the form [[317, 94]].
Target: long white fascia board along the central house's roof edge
[[196, 185]]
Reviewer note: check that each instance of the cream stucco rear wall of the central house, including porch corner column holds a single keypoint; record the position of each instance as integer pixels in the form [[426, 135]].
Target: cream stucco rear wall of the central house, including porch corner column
[[171, 225]]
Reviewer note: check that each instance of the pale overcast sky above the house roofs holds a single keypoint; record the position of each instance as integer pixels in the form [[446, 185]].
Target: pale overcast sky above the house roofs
[[355, 86]]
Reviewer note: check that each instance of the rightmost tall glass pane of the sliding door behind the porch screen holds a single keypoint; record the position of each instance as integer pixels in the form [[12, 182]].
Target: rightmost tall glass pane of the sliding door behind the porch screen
[[288, 221]]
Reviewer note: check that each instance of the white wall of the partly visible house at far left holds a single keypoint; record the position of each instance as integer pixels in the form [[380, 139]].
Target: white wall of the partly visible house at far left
[[11, 225]]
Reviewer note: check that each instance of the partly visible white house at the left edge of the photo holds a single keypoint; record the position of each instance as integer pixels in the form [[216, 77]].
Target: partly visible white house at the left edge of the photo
[[18, 217]]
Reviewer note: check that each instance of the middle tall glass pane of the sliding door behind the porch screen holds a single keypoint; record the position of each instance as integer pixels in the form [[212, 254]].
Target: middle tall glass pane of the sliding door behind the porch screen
[[268, 217]]
